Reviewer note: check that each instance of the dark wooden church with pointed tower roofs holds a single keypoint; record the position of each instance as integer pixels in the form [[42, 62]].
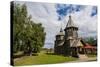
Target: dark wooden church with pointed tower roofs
[[69, 44]]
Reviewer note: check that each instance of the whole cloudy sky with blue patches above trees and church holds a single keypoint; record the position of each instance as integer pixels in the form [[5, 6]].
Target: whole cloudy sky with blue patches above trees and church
[[53, 16]]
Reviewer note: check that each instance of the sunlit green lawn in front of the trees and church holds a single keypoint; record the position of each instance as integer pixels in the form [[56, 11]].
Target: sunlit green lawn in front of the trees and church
[[42, 58]]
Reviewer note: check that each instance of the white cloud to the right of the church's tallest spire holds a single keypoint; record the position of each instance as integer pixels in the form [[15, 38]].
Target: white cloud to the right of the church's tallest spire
[[87, 24]]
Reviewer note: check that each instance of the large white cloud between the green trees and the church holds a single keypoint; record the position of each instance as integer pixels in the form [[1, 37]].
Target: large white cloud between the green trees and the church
[[46, 14]]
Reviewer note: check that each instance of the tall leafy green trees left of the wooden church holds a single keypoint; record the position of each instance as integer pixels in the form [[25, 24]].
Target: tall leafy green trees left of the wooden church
[[26, 33]]
